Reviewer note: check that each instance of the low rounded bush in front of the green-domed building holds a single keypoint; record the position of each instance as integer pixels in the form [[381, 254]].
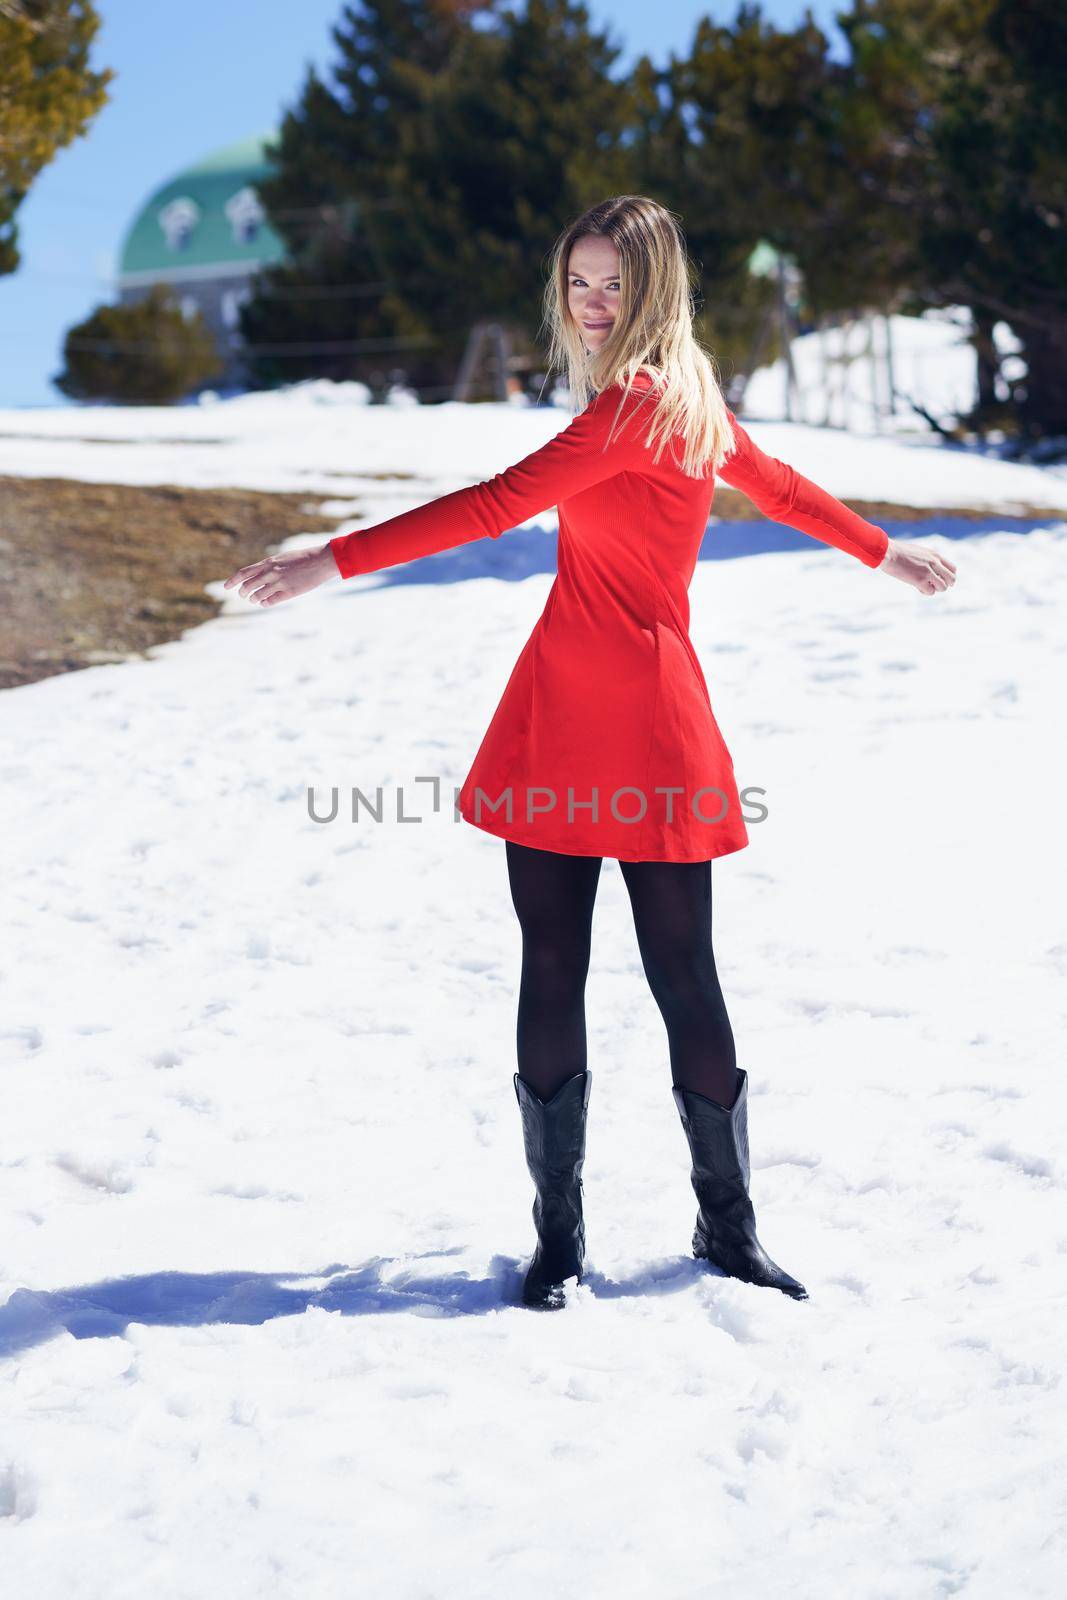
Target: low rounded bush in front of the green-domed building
[[143, 353]]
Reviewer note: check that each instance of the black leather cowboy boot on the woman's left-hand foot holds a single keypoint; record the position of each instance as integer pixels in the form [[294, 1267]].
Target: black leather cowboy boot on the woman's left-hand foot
[[554, 1134]]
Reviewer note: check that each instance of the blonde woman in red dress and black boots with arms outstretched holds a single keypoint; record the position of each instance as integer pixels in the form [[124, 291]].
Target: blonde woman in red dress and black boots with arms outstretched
[[604, 742]]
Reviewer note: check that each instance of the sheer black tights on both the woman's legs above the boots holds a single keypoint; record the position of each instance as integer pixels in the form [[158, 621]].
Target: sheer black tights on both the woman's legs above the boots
[[673, 916]]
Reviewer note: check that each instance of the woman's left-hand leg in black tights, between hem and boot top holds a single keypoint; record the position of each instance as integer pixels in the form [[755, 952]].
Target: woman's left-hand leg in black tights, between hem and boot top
[[554, 902]]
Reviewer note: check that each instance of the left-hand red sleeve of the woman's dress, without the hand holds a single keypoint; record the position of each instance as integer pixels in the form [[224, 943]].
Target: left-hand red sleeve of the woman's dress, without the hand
[[572, 462]]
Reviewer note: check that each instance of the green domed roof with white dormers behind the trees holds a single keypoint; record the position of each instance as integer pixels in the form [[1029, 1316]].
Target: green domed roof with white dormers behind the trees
[[207, 217]]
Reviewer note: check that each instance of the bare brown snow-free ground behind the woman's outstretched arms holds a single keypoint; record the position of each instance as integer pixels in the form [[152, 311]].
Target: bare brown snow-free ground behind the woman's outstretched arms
[[92, 572]]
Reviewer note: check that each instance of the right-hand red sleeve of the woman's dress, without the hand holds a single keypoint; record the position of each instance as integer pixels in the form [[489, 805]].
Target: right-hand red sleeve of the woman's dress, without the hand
[[783, 495]]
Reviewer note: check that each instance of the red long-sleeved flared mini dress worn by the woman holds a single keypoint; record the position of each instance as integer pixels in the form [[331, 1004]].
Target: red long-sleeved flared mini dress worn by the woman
[[604, 742]]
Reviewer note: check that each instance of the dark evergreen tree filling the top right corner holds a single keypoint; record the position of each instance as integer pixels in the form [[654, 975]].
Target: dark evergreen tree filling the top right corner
[[969, 156]]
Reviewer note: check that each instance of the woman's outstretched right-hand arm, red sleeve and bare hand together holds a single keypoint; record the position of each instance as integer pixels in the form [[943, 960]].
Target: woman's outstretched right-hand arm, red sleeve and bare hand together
[[785, 495]]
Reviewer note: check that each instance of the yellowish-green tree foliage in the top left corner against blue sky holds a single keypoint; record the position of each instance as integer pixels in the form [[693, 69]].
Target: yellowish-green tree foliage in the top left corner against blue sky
[[49, 97]]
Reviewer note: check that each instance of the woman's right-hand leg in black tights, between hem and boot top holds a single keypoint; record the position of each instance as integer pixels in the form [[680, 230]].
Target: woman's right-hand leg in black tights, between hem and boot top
[[673, 916]]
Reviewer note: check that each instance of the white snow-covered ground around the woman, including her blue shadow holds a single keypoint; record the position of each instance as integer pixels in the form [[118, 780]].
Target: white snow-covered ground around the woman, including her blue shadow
[[265, 1202]]
